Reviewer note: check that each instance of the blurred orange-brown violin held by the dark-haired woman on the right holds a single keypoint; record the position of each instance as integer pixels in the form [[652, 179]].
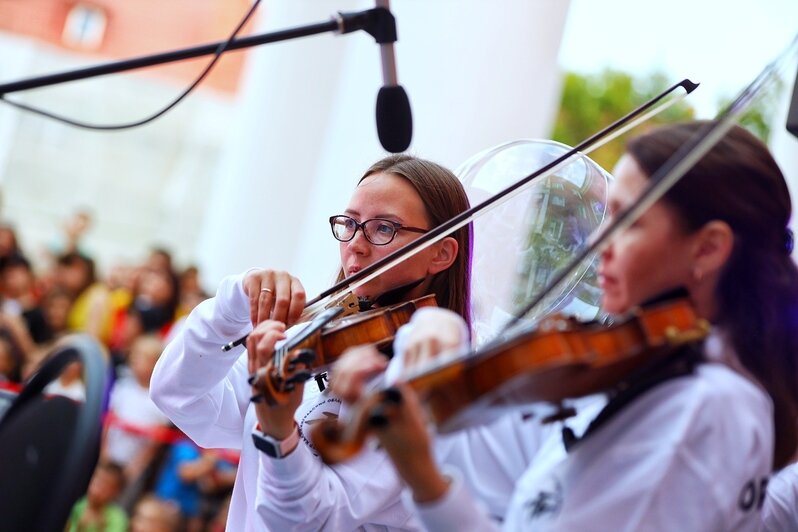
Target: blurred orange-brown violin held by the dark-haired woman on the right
[[557, 360]]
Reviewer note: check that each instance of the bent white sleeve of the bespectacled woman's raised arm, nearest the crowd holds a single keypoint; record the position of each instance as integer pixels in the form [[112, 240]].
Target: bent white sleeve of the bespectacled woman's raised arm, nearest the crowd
[[202, 389]]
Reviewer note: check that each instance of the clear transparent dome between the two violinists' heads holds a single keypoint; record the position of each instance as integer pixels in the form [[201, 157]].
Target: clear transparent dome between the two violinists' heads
[[520, 244]]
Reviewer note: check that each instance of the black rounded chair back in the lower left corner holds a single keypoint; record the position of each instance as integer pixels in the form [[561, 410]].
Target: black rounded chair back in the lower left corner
[[50, 444]]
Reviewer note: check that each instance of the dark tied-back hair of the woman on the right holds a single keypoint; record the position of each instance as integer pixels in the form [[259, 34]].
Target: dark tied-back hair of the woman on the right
[[739, 182]]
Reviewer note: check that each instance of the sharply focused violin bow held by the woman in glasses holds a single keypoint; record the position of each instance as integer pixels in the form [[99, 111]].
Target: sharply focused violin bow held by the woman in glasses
[[642, 113]]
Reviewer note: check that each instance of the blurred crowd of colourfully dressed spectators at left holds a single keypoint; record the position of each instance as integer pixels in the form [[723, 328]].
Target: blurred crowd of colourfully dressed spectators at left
[[150, 477]]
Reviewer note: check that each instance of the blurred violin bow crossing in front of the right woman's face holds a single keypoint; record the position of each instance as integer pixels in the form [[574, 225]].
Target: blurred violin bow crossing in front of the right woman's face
[[669, 173]]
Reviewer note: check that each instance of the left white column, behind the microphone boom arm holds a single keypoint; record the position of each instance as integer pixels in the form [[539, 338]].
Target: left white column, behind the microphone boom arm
[[268, 167]]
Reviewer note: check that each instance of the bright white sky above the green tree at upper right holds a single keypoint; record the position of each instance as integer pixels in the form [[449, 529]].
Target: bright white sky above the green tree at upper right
[[722, 44]]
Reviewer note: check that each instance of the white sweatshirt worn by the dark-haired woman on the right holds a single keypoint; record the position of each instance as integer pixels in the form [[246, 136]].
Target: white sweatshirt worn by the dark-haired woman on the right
[[692, 454]]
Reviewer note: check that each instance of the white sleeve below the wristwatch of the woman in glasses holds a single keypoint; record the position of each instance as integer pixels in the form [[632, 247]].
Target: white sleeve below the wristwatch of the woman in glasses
[[299, 492]]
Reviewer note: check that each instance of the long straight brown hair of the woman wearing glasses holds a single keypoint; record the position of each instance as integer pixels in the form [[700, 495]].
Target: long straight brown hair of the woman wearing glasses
[[444, 198]]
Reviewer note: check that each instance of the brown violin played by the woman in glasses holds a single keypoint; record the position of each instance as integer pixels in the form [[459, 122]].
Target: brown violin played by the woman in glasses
[[322, 341]]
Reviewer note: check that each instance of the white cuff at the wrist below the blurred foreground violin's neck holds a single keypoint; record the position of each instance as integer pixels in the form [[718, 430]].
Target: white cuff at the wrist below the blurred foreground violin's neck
[[456, 510]]
